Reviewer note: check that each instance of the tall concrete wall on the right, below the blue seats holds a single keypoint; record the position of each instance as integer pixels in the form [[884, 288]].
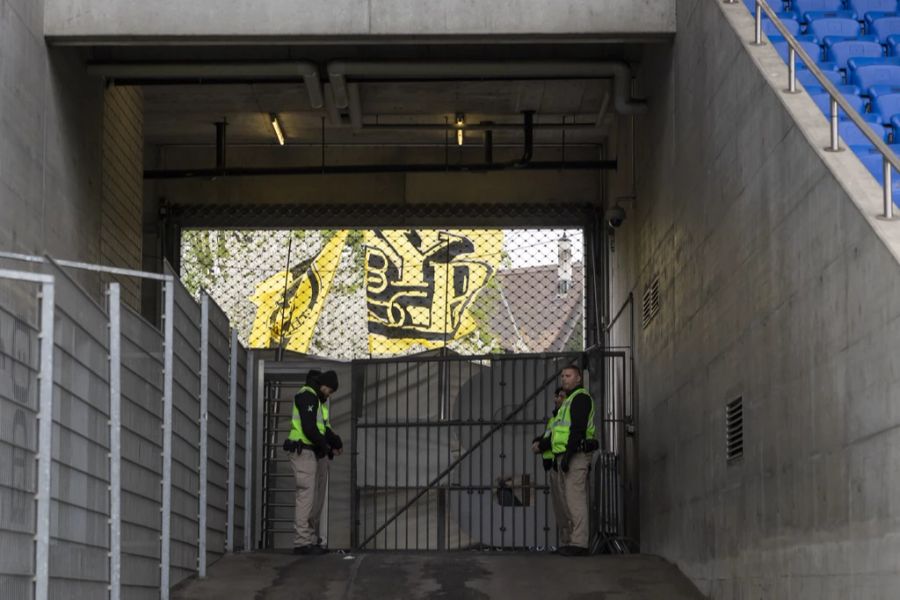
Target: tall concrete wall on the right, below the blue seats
[[780, 286]]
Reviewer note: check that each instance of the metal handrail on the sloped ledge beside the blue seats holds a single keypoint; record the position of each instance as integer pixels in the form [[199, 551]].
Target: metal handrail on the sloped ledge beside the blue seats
[[837, 99]]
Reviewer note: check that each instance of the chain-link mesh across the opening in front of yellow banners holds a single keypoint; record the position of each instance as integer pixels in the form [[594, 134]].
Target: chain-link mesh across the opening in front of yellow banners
[[350, 293]]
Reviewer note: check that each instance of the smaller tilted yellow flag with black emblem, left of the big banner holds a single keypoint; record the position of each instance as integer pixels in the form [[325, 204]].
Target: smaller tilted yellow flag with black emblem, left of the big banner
[[295, 298]]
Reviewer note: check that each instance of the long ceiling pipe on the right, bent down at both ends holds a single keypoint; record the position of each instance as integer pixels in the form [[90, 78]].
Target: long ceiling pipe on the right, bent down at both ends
[[339, 72]]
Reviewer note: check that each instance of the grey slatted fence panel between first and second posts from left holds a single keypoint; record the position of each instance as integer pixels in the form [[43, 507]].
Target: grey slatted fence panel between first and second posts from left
[[79, 562]]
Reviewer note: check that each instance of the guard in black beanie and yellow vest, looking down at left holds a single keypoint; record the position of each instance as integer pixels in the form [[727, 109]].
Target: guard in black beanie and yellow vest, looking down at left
[[311, 443]]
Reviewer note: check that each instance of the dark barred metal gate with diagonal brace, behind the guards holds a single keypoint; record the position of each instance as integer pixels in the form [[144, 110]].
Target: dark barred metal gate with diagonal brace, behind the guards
[[442, 452]]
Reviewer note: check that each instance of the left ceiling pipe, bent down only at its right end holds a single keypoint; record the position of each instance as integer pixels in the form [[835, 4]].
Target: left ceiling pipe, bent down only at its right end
[[147, 73]]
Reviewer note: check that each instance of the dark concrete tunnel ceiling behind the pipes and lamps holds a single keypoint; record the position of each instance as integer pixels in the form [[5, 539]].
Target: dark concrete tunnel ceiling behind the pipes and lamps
[[182, 116]]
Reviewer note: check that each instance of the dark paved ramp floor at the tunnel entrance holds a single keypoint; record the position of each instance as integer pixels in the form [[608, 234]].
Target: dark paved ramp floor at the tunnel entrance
[[453, 576]]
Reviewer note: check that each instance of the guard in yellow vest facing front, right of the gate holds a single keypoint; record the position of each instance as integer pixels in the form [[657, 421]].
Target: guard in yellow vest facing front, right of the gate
[[572, 439]]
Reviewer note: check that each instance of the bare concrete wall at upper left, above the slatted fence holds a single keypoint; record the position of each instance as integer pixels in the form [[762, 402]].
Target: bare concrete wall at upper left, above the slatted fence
[[50, 151]]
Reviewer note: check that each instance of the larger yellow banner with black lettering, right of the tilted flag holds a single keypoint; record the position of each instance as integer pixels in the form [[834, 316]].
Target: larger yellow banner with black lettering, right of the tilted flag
[[421, 283]]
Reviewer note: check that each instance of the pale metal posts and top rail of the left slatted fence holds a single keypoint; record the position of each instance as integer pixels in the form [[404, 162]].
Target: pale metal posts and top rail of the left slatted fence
[[44, 459]]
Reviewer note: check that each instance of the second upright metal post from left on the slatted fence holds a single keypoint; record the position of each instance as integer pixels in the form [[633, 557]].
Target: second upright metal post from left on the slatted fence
[[115, 440]]
